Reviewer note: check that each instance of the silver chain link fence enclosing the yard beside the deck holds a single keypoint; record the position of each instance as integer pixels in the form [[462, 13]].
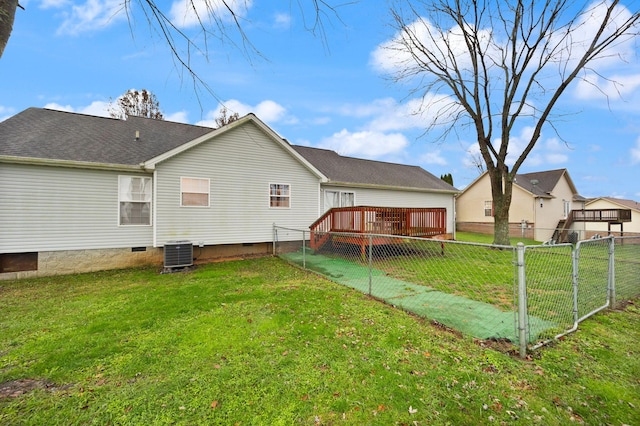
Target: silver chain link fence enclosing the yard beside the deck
[[527, 295]]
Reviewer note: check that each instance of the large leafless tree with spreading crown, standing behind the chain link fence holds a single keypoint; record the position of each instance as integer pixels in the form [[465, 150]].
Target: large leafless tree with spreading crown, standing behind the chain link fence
[[503, 65]]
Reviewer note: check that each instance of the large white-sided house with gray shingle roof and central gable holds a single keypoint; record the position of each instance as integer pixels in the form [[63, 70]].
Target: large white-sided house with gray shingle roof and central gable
[[82, 193]]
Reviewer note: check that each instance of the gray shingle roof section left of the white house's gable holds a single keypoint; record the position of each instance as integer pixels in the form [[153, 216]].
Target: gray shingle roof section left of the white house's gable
[[58, 135]]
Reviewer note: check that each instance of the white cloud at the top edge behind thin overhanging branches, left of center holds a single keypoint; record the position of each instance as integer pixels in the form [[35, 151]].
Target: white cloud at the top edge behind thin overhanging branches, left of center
[[191, 13]]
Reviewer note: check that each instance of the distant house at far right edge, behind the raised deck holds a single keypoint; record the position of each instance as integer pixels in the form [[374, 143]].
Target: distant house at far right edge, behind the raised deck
[[606, 204]]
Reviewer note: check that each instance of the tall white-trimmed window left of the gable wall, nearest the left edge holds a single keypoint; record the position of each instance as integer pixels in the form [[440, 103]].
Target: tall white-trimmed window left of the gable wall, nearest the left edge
[[134, 200]]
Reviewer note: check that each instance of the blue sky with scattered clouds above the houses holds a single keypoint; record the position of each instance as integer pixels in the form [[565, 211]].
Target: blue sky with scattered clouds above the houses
[[330, 92]]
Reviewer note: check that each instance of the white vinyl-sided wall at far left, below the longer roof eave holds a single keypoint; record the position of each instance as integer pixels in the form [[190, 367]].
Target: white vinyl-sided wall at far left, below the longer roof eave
[[44, 208]]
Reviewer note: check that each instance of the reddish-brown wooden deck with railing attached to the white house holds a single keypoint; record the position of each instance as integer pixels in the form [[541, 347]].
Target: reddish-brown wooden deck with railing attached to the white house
[[378, 221]]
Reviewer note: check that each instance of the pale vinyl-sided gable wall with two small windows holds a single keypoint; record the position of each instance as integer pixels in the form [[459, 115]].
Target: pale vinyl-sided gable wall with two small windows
[[241, 165]]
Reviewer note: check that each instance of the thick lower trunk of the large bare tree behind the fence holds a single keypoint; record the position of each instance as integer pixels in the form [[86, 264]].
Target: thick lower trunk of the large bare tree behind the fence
[[501, 189]]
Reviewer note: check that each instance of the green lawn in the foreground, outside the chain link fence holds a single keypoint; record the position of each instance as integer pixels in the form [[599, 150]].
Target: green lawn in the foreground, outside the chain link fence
[[261, 342]]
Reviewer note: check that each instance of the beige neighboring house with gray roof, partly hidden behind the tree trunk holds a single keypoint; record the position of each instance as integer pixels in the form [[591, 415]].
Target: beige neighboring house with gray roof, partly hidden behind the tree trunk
[[541, 203]]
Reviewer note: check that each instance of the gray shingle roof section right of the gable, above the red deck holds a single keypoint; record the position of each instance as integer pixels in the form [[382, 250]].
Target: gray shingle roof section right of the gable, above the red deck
[[356, 171]]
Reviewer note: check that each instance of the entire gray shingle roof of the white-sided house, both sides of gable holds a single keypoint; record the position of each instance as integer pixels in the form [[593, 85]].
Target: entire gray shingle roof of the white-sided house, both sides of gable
[[56, 135]]
